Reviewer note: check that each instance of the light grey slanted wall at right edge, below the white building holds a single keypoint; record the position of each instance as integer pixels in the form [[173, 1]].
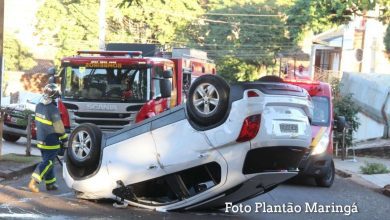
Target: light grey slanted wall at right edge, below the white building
[[371, 93]]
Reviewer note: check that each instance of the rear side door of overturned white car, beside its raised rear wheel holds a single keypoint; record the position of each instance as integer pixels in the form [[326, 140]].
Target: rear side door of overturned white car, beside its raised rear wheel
[[179, 146]]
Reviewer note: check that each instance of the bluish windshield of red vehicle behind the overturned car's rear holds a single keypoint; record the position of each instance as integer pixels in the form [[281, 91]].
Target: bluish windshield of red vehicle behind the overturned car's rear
[[321, 111]]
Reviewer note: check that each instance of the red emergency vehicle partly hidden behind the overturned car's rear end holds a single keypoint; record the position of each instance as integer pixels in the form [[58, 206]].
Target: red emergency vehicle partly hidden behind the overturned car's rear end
[[318, 162]]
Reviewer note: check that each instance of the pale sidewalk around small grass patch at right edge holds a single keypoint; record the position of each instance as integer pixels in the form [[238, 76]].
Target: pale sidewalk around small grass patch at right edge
[[352, 167]]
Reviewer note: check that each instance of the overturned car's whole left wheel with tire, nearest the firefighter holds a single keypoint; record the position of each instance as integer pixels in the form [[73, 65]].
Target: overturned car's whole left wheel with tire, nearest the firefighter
[[84, 145]]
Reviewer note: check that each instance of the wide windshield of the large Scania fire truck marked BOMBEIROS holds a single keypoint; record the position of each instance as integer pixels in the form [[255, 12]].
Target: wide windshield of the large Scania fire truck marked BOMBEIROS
[[105, 84]]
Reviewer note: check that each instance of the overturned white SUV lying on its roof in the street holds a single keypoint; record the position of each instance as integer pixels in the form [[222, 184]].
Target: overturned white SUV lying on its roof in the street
[[226, 144]]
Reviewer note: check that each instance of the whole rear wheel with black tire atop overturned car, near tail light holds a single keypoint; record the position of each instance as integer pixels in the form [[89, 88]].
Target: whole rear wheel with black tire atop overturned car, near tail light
[[208, 100]]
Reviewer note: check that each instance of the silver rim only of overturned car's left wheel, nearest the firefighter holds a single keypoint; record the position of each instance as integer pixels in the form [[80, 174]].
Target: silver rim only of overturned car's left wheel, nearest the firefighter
[[81, 145]]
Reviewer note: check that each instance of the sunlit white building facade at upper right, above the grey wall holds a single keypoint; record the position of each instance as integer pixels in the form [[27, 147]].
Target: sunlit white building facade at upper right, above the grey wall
[[354, 47]]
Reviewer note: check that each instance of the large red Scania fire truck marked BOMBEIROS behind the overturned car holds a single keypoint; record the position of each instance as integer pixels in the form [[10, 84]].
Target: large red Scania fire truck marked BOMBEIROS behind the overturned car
[[115, 88]]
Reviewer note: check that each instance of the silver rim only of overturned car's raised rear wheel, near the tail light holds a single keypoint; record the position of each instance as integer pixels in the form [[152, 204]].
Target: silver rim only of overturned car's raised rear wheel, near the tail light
[[206, 99]]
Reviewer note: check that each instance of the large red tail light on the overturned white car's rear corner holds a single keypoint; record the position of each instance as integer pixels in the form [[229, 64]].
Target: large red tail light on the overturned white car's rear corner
[[249, 128]]
